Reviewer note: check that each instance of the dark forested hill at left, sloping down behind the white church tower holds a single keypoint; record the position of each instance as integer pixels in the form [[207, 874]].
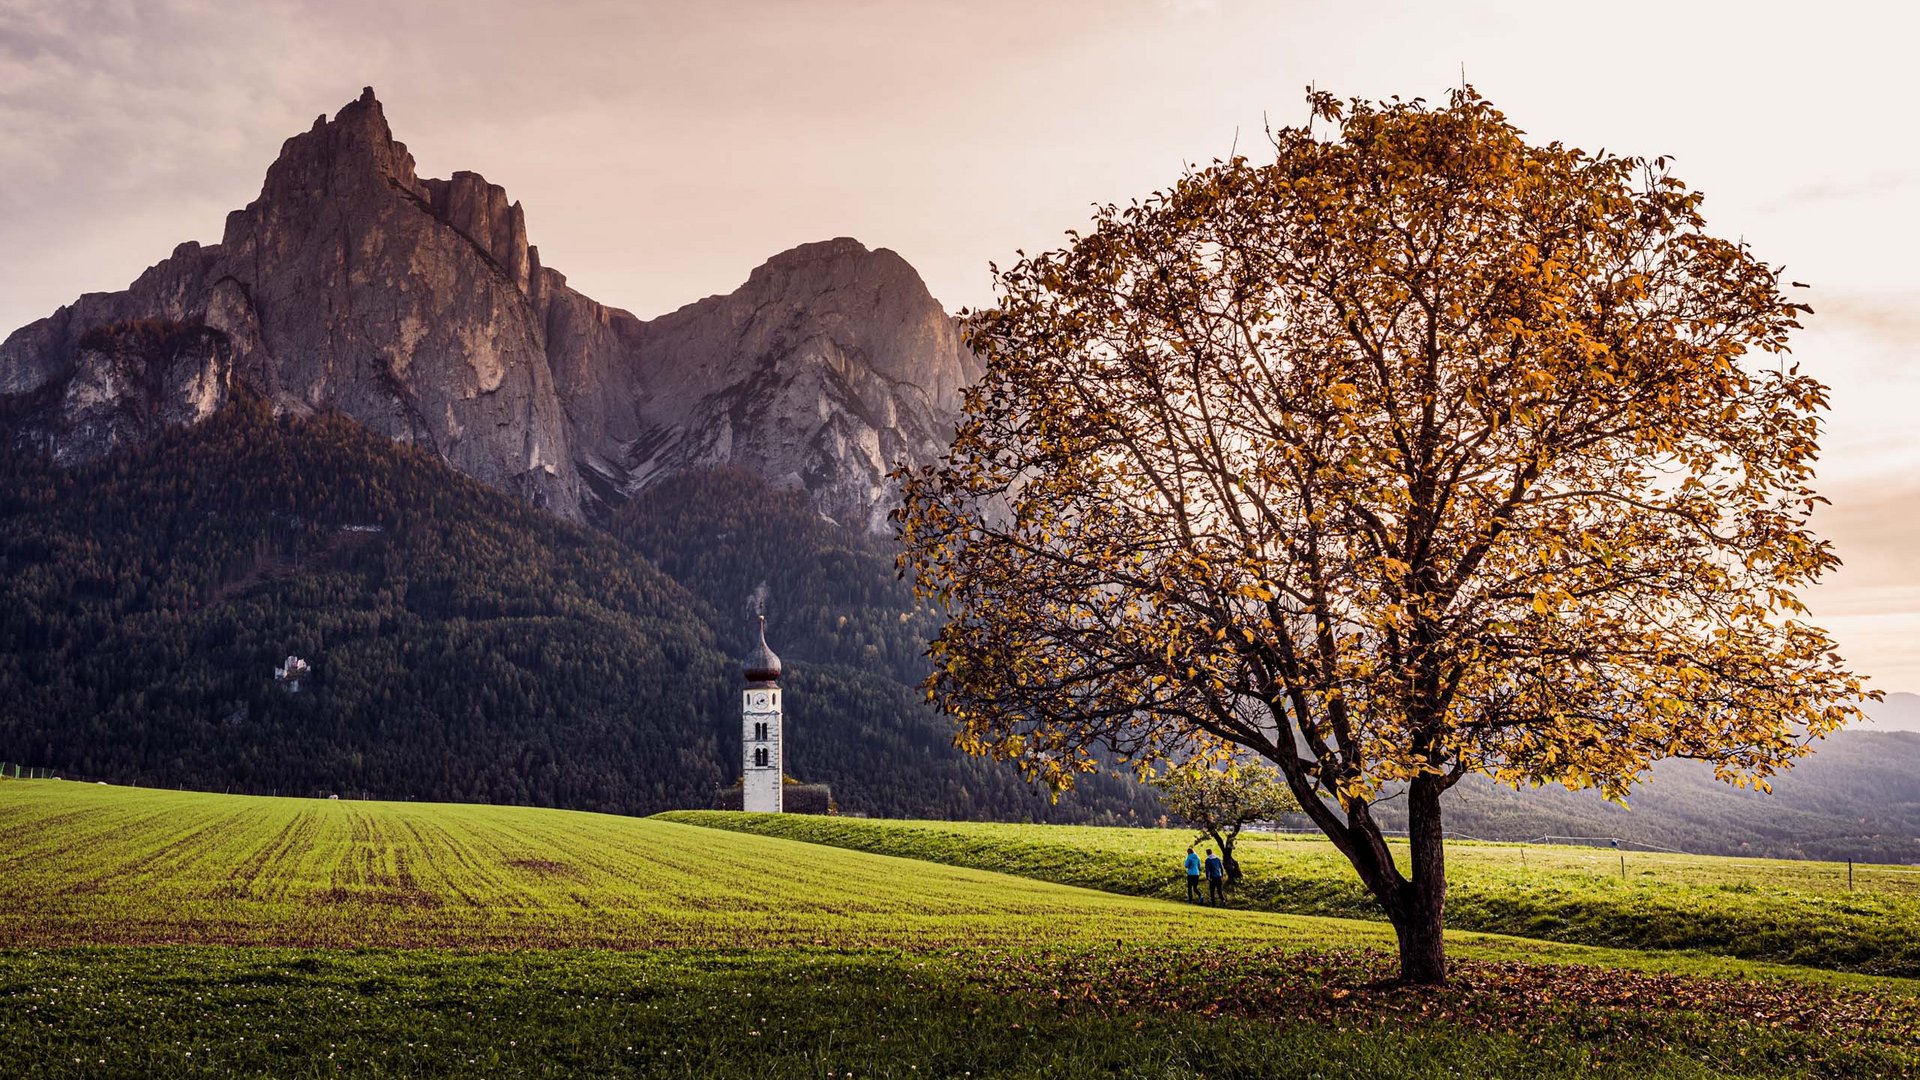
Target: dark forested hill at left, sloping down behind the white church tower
[[464, 645]]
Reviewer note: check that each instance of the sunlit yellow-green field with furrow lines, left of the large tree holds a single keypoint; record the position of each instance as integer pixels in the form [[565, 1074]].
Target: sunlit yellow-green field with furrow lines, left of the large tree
[[133, 866]]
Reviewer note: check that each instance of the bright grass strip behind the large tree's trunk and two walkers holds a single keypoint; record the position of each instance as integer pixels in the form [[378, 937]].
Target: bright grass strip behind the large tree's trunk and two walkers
[[1783, 912]]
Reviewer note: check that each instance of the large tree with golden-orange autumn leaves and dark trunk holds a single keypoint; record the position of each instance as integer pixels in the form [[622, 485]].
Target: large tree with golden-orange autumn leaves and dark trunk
[[1414, 453]]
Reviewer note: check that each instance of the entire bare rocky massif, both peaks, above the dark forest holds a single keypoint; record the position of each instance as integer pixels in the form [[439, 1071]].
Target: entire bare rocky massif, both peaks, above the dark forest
[[420, 308]]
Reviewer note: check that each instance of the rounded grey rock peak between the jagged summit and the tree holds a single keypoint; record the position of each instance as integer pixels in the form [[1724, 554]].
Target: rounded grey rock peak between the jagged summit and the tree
[[830, 366]]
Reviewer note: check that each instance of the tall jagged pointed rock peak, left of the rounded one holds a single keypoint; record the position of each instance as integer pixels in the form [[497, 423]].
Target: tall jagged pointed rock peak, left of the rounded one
[[352, 285]]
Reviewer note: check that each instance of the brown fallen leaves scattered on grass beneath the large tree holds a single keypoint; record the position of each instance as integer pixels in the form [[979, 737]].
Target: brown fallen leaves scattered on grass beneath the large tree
[[1788, 1021]]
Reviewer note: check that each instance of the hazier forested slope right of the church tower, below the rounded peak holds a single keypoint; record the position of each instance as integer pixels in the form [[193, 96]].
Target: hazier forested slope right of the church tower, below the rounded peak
[[853, 641]]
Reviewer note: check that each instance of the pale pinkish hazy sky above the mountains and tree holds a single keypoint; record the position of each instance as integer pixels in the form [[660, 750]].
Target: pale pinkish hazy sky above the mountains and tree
[[667, 149]]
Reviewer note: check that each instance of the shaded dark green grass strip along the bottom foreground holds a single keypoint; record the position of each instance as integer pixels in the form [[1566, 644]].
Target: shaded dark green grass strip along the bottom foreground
[[775, 1014]]
